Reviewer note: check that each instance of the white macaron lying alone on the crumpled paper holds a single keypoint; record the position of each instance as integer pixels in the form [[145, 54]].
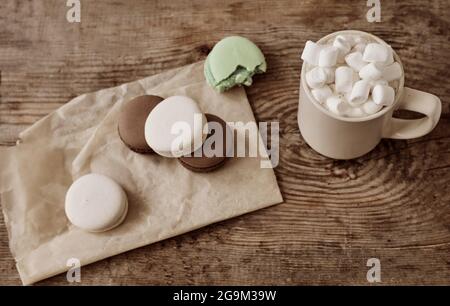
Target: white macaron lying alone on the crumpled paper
[[96, 203]]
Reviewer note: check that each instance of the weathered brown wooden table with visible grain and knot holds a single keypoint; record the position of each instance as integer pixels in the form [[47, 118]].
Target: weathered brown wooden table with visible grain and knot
[[392, 204]]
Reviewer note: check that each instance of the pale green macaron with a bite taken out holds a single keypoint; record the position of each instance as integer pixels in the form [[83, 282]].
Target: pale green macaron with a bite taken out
[[233, 61]]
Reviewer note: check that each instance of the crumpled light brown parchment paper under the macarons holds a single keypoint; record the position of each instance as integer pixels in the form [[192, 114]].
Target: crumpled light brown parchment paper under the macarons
[[165, 199]]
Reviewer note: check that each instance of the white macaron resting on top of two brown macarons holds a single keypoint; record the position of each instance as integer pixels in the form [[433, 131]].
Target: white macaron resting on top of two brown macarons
[[174, 128]]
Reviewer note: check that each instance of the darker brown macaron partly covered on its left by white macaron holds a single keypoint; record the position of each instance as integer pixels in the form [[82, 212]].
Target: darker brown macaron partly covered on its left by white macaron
[[203, 161]]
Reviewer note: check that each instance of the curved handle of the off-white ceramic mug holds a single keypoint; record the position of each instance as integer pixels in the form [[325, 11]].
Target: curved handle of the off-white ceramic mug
[[418, 101]]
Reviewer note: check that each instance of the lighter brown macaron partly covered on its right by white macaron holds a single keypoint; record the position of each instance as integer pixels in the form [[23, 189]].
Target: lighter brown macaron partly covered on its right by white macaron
[[131, 123]]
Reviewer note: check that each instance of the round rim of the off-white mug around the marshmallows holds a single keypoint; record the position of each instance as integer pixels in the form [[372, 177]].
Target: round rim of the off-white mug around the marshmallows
[[354, 119]]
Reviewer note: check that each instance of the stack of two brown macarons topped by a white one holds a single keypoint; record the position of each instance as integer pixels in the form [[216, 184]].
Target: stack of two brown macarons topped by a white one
[[174, 128]]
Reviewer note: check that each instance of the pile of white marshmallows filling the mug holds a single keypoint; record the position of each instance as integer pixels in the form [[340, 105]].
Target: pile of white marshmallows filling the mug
[[351, 77]]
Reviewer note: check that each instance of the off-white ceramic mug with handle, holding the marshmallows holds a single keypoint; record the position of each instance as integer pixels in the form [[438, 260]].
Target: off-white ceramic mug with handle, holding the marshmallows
[[346, 138]]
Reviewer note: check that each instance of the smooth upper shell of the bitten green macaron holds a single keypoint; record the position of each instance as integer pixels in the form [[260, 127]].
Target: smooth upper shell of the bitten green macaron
[[232, 52]]
